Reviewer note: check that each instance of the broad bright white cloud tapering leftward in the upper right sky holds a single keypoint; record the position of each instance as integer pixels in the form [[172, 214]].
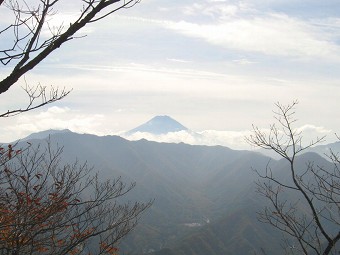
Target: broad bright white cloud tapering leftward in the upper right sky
[[274, 34]]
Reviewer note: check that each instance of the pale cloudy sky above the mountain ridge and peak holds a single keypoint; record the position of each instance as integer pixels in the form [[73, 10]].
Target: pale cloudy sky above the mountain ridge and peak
[[216, 66]]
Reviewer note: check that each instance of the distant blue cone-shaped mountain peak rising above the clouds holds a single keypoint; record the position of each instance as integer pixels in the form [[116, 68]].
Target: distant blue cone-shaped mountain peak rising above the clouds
[[159, 125]]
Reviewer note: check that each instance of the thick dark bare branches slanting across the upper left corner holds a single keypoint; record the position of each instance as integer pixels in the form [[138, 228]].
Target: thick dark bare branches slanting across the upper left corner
[[29, 49]]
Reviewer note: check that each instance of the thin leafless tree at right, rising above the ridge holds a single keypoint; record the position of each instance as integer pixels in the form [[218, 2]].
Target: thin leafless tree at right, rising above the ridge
[[312, 218]]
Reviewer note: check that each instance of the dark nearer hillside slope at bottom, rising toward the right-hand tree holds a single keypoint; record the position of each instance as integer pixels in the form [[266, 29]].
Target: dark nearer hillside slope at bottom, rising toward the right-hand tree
[[238, 232]]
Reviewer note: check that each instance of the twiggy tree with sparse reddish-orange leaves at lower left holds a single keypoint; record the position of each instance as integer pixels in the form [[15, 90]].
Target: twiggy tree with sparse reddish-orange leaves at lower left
[[50, 208]]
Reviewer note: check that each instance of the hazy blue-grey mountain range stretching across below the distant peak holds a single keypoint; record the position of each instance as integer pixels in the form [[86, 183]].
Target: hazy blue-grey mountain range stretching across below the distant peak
[[205, 202]]
